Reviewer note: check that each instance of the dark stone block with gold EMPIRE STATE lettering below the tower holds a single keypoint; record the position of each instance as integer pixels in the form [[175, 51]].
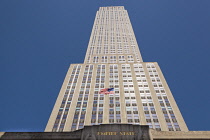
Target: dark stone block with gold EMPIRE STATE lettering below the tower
[[116, 131]]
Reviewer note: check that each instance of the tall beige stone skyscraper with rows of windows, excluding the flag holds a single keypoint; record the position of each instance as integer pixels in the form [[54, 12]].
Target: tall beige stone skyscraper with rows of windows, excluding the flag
[[113, 60]]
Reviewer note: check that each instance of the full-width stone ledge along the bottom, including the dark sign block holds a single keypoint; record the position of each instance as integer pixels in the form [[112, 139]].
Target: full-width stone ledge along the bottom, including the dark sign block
[[109, 132]]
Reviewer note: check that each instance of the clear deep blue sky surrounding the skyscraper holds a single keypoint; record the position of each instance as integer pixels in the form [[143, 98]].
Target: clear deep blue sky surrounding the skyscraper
[[39, 39]]
